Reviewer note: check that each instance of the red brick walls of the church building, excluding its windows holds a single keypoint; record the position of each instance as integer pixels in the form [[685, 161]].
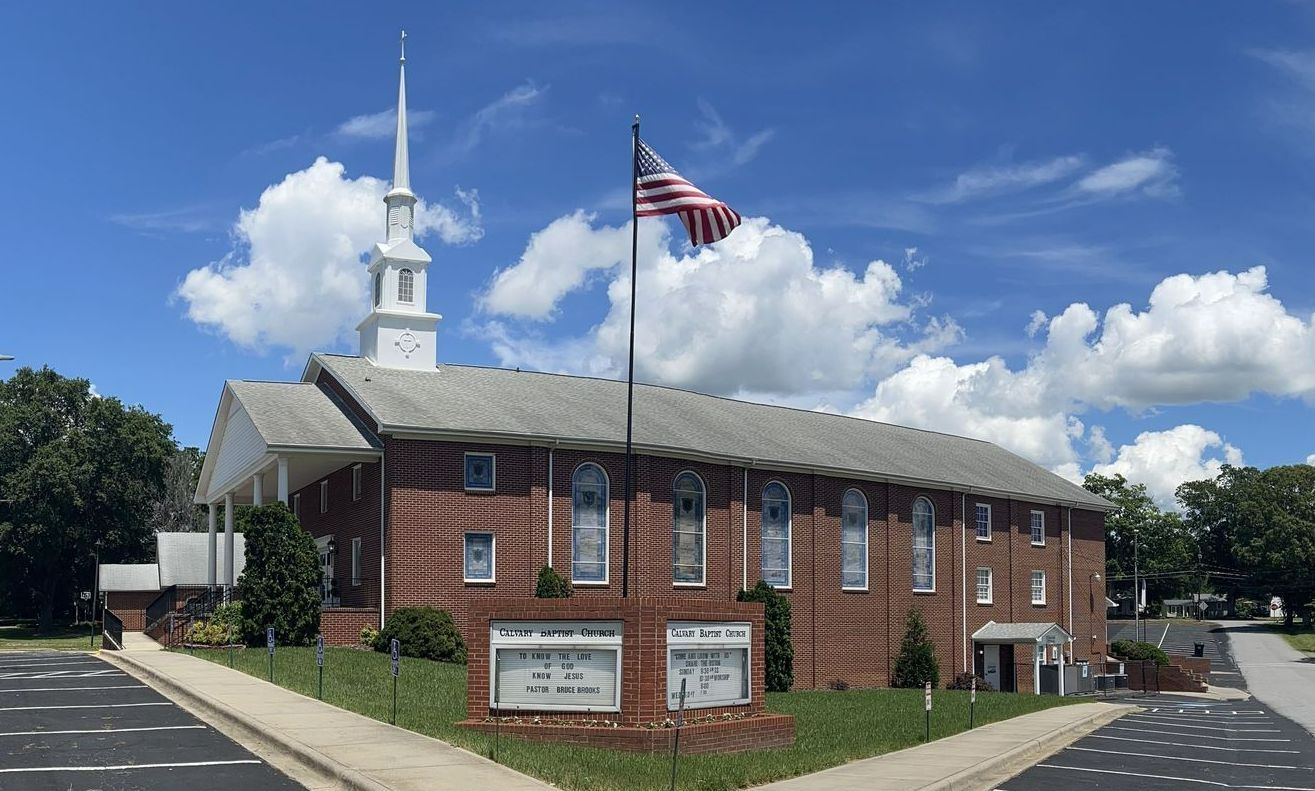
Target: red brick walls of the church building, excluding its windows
[[838, 635]]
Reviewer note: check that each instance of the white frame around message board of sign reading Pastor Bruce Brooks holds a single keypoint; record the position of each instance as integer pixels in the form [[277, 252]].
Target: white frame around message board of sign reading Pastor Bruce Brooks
[[579, 639]]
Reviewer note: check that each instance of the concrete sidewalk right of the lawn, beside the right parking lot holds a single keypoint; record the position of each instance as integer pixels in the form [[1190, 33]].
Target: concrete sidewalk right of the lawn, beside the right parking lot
[[971, 761]]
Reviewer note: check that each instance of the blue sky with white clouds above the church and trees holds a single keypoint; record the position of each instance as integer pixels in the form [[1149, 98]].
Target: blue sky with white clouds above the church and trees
[[1032, 157]]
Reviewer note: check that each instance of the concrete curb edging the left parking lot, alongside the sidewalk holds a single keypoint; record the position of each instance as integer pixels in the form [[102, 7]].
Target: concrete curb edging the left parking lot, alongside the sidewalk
[[300, 763]]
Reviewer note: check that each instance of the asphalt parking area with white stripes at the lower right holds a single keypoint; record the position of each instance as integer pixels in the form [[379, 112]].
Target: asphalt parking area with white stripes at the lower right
[[1183, 743]]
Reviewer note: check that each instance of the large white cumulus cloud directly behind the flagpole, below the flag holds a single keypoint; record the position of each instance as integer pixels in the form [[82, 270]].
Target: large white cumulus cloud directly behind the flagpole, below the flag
[[752, 315]]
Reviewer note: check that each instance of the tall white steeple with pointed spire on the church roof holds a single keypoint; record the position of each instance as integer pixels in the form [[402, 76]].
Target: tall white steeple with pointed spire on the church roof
[[399, 333]]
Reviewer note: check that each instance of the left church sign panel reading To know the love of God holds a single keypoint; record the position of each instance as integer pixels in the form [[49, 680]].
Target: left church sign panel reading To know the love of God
[[556, 666]]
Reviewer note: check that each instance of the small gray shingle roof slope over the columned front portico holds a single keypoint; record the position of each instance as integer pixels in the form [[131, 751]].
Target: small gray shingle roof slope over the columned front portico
[[298, 415]]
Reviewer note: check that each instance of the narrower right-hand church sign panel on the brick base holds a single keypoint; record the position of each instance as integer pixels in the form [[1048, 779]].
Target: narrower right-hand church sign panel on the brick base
[[713, 659]]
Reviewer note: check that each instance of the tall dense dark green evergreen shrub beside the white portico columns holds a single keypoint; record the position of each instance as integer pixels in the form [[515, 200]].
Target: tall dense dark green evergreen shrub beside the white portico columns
[[281, 584]]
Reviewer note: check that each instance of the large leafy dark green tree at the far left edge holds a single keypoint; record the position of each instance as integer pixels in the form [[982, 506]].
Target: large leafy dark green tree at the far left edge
[[80, 474]]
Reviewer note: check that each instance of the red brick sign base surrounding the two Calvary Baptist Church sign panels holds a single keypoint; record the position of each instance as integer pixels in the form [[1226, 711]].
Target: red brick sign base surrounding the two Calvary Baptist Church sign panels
[[644, 723]]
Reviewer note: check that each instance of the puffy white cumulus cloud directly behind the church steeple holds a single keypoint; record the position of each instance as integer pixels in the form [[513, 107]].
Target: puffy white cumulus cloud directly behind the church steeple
[[295, 275]]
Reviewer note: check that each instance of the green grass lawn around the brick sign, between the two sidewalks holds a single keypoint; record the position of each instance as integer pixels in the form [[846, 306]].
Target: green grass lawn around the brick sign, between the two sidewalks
[[832, 727]]
